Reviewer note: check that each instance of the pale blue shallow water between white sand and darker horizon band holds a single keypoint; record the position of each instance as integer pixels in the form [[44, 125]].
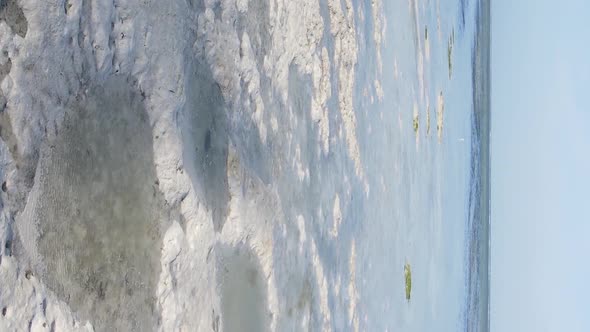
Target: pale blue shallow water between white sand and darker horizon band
[[417, 209]]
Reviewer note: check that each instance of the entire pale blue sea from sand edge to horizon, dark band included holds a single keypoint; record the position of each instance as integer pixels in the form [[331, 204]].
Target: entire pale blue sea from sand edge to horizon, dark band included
[[429, 199]]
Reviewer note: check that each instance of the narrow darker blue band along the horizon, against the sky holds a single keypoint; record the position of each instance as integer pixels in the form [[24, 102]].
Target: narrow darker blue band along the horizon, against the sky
[[478, 227]]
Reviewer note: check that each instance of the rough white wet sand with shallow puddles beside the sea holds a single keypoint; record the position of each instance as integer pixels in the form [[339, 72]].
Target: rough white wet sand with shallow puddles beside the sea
[[246, 53]]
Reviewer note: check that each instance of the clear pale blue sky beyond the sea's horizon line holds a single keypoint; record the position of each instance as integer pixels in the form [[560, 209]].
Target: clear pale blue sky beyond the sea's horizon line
[[540, 272]]
